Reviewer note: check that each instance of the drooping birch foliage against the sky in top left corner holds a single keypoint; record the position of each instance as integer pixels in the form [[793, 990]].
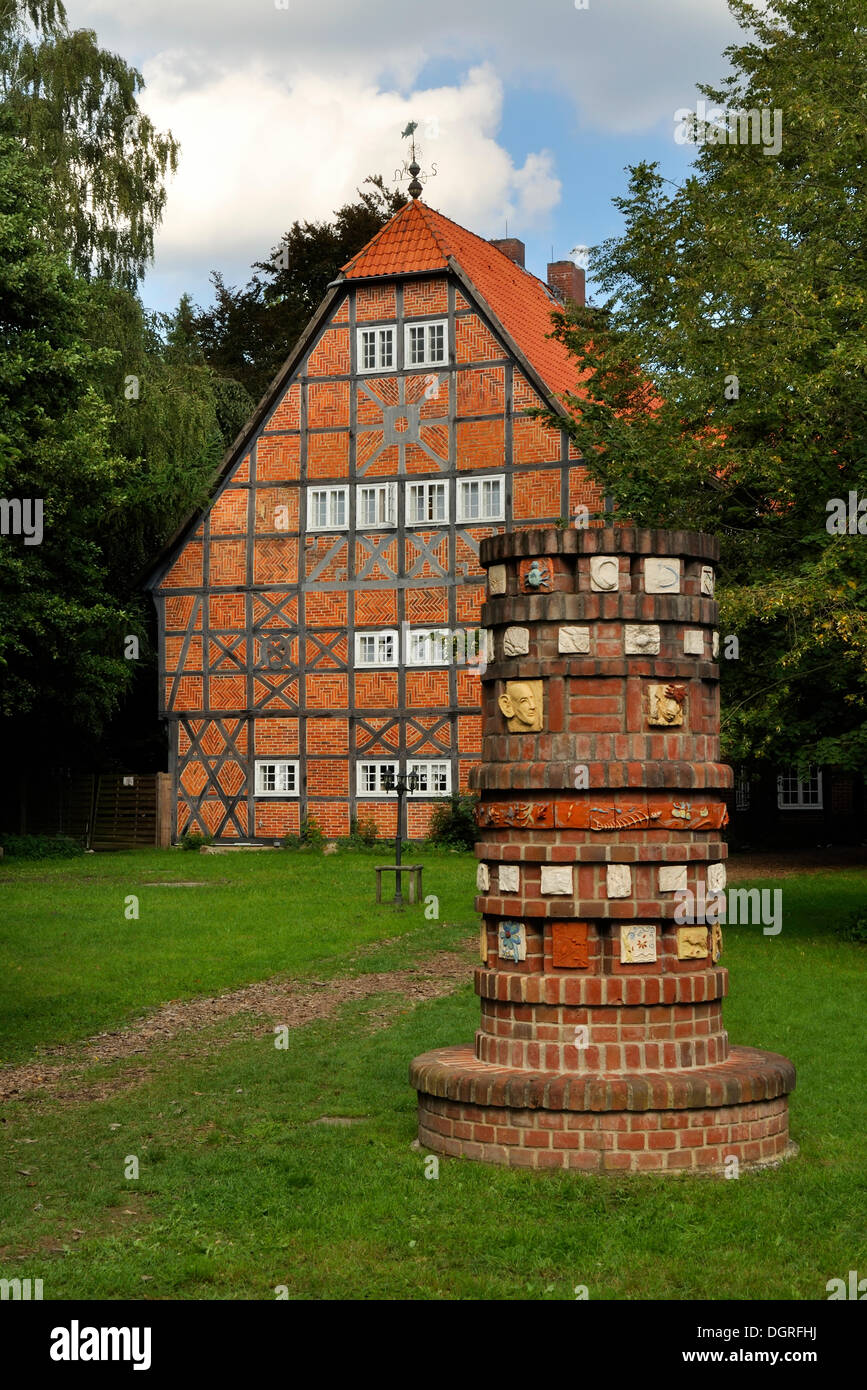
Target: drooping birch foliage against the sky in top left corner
[[77, 112]]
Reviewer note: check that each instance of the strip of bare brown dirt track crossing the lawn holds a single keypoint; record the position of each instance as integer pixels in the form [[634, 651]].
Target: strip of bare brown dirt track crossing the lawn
[[59, 1072]]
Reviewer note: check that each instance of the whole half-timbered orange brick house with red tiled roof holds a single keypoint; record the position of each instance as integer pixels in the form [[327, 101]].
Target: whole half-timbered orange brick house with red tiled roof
[[308, 618]]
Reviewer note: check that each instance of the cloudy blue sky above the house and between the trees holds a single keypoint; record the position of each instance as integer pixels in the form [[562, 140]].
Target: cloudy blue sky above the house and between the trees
[[533, 112]]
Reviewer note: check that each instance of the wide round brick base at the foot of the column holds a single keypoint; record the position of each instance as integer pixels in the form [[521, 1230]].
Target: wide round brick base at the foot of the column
[[643, 1124]]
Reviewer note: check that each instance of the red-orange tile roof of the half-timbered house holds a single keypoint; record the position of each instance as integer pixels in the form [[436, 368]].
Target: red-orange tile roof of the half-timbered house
[[418, 240]]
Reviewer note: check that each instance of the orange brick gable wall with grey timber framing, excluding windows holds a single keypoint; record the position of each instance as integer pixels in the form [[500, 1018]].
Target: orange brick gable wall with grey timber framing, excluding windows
[[259, 615]]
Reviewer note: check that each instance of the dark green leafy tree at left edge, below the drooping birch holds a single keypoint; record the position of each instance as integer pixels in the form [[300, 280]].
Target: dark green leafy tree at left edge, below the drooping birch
[[62, 640]]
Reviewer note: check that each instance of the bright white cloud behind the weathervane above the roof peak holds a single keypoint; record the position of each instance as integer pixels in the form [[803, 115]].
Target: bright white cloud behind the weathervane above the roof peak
[[258, 154]]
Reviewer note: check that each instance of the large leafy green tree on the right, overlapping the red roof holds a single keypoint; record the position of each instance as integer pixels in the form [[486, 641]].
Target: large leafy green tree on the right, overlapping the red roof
[[723, 382]]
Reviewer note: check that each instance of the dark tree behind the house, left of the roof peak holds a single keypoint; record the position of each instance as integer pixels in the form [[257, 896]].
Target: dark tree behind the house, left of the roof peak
[[248, 334]]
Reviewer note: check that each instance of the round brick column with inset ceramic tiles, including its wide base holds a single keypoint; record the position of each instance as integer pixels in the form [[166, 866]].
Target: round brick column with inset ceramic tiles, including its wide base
[[602, 1043]]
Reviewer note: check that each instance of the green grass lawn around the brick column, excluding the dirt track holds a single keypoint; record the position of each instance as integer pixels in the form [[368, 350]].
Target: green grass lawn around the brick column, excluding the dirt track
[[241, 1192]]
